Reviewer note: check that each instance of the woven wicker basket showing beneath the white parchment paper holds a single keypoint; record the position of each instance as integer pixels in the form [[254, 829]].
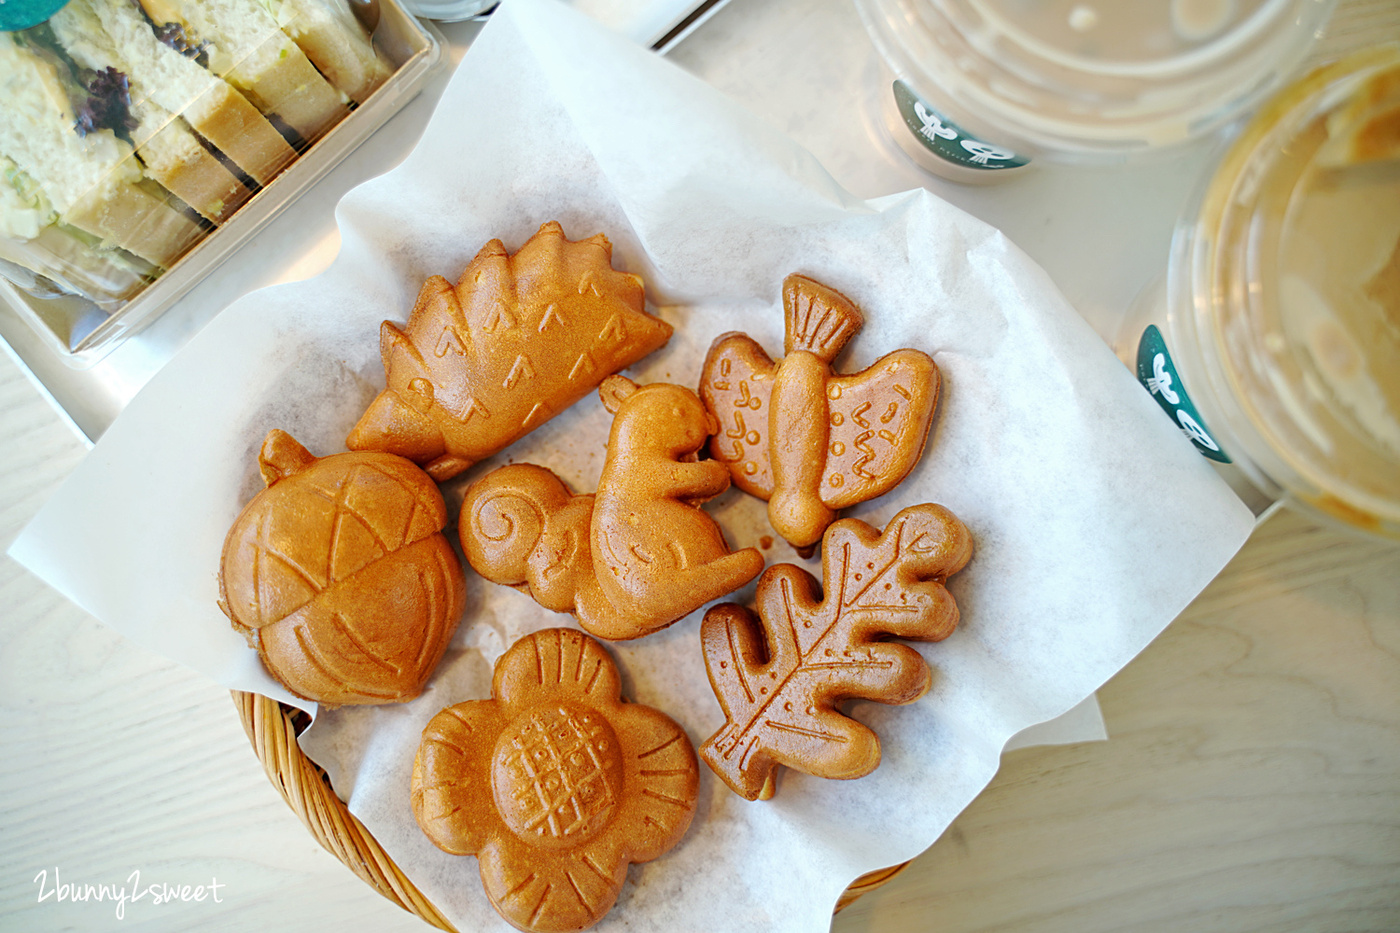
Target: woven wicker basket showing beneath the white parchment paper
[[274, 728]]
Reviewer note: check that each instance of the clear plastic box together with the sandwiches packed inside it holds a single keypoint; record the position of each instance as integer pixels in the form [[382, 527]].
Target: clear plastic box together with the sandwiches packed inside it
[[143, 142]]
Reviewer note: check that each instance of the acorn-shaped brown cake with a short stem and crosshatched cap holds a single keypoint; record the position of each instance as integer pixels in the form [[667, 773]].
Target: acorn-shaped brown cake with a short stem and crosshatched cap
[[339, 575]]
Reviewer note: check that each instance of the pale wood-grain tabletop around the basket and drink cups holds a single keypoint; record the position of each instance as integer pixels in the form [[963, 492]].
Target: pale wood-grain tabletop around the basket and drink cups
[[1252, 778]]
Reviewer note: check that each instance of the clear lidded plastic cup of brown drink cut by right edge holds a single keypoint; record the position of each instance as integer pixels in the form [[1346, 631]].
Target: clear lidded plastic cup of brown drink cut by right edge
[[1275, 341]]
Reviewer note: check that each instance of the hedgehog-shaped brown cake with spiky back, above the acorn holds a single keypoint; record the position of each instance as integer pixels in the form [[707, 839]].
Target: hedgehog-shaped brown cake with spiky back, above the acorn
[[520, 338]]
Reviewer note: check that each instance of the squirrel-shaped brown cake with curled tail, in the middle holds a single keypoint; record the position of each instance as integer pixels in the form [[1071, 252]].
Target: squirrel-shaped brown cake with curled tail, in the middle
[[638, 555]]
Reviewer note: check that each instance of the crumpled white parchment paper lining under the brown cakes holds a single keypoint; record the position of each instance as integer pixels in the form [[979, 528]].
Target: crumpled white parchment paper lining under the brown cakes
[[1095, 522]]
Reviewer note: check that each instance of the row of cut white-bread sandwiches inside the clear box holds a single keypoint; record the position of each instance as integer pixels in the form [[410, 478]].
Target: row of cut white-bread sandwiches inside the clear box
[[135, 128]]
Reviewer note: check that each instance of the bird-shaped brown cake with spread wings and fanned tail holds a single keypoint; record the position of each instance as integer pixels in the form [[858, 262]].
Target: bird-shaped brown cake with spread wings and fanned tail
[[804, 439]]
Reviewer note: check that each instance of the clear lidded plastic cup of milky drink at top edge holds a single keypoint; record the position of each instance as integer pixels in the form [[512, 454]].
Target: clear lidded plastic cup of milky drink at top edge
[[1003, 83]]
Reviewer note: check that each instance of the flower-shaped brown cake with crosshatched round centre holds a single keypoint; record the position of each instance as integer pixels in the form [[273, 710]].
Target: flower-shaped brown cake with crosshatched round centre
[[555, 784]]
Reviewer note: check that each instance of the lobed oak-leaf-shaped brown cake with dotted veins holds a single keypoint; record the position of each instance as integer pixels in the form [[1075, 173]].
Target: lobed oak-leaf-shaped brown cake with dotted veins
[[782, 675]]
